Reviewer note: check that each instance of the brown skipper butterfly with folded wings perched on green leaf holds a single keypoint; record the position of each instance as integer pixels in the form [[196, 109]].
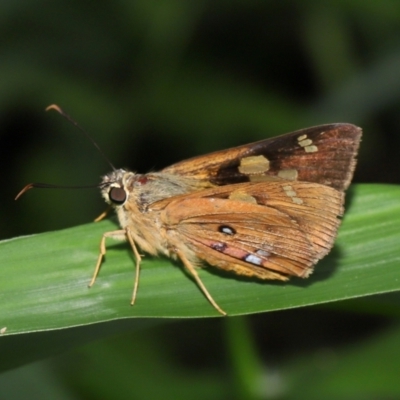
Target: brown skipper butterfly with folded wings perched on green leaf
[[268, 209]]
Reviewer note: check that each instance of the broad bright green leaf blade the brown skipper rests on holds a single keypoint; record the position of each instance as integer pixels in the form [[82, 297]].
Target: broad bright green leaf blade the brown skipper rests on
[[43, 278]]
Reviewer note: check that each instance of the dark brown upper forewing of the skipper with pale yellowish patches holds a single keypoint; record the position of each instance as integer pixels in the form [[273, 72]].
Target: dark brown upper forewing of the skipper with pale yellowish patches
[[323, 154]]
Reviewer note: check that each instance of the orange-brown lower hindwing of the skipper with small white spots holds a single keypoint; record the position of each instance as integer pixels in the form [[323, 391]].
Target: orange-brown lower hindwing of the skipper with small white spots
[[268, 230]]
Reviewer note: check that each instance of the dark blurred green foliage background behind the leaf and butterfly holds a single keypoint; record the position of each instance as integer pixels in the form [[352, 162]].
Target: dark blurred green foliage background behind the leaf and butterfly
[[155, 82]]
